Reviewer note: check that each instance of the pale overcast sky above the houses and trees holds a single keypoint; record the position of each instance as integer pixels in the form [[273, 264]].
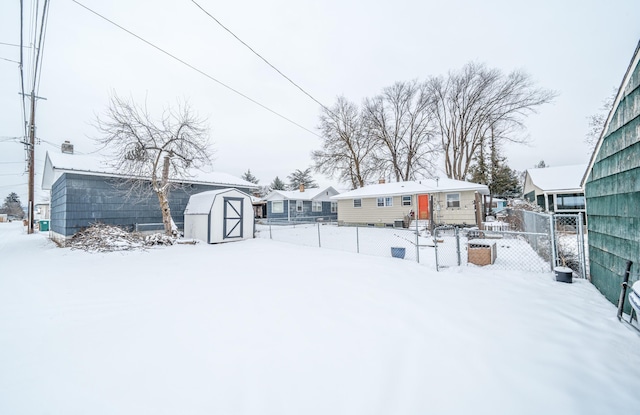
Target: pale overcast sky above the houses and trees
[[580, 49]]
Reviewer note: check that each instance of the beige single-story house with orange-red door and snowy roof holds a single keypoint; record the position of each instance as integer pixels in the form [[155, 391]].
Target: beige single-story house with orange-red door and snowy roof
[[443, 201]]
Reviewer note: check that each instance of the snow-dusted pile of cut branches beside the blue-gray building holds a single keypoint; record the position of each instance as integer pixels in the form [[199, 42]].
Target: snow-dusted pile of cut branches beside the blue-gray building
[[107, 238]]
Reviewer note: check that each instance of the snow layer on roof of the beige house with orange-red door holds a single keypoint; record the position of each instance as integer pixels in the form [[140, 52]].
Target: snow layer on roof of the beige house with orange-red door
[[413, 187]]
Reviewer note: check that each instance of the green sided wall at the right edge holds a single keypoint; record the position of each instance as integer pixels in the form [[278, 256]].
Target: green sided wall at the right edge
[[613, 196]]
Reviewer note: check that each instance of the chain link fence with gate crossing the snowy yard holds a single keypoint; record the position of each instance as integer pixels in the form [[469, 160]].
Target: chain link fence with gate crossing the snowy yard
[[523, 240]]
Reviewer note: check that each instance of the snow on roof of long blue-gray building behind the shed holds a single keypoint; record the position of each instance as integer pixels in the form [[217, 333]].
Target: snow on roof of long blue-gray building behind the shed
[[97, 165]]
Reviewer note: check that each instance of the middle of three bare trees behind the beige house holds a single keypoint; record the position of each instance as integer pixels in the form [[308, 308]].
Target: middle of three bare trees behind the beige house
[[399, 122]]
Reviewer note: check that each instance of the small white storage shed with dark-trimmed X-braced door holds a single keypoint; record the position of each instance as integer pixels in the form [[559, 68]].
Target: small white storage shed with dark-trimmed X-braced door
[[217, 216]]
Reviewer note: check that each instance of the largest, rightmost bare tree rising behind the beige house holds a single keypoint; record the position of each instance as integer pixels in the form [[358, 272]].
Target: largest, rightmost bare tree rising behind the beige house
[[469, 103]]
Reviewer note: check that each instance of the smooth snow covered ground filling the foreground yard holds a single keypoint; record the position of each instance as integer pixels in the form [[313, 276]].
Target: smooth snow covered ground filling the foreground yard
[[264, 327]]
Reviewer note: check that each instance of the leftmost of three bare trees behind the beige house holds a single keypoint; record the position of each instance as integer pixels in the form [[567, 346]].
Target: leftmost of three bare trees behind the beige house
[[346, 149]]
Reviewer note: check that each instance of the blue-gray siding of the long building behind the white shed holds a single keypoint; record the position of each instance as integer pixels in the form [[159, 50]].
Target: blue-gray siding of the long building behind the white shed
[[78, 200]]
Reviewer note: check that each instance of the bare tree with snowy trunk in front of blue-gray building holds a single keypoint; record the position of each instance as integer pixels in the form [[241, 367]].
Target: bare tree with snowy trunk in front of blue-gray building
[[158, 151]]
